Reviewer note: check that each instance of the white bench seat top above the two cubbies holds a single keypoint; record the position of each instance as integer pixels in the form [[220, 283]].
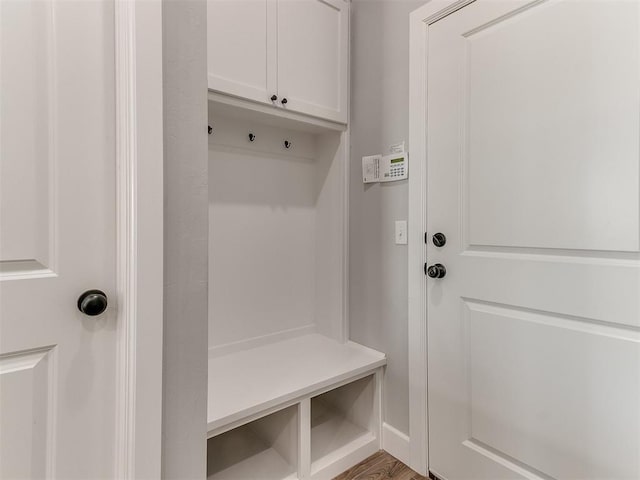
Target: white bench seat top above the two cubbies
[[244, 385]]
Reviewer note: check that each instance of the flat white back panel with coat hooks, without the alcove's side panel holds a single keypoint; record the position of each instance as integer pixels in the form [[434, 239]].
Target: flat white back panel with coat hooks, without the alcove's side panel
[[262, 233]]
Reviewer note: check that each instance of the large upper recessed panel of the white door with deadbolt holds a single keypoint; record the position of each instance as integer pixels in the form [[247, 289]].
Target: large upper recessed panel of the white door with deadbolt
[[553, 117]]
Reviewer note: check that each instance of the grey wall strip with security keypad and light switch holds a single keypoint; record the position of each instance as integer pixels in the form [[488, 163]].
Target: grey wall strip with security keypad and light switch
[[379, 118]]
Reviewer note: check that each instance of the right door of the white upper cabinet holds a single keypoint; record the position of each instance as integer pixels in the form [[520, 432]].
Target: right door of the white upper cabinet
[[312, 57]]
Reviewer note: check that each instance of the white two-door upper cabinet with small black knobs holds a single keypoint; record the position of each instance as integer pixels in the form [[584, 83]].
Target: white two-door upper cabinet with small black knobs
[[294, 50]]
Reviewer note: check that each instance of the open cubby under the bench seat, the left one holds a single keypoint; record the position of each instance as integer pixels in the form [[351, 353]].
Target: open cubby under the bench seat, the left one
[[265, 449]]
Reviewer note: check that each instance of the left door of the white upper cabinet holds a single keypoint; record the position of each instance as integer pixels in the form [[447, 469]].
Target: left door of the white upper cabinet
[[241, 44]]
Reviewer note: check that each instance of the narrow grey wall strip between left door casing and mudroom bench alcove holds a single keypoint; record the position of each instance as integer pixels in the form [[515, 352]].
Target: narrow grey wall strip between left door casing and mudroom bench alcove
[[185, 239]]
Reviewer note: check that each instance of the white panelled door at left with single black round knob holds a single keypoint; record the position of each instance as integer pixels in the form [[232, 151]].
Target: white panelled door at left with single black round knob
[[57, 239]]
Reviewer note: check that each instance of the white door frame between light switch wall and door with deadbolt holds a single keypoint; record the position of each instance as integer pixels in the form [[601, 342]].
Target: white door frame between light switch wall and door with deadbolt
[[420, 20]]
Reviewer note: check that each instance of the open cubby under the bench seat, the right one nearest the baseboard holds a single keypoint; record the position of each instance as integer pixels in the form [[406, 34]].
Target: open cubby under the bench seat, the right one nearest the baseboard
[[342, 419]]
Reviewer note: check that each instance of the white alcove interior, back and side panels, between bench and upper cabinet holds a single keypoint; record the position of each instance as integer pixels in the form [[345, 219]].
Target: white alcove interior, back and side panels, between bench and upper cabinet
[[276, 231]]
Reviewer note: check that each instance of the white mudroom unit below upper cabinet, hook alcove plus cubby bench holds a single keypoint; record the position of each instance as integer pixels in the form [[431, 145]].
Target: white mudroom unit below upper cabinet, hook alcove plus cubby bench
[[289, 395]]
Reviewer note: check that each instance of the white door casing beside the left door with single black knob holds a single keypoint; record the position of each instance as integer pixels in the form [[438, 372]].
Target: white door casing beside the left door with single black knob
[[139, 232]]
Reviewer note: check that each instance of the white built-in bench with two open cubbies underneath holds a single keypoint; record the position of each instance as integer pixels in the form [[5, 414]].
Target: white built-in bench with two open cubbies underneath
[[328, 409]]
